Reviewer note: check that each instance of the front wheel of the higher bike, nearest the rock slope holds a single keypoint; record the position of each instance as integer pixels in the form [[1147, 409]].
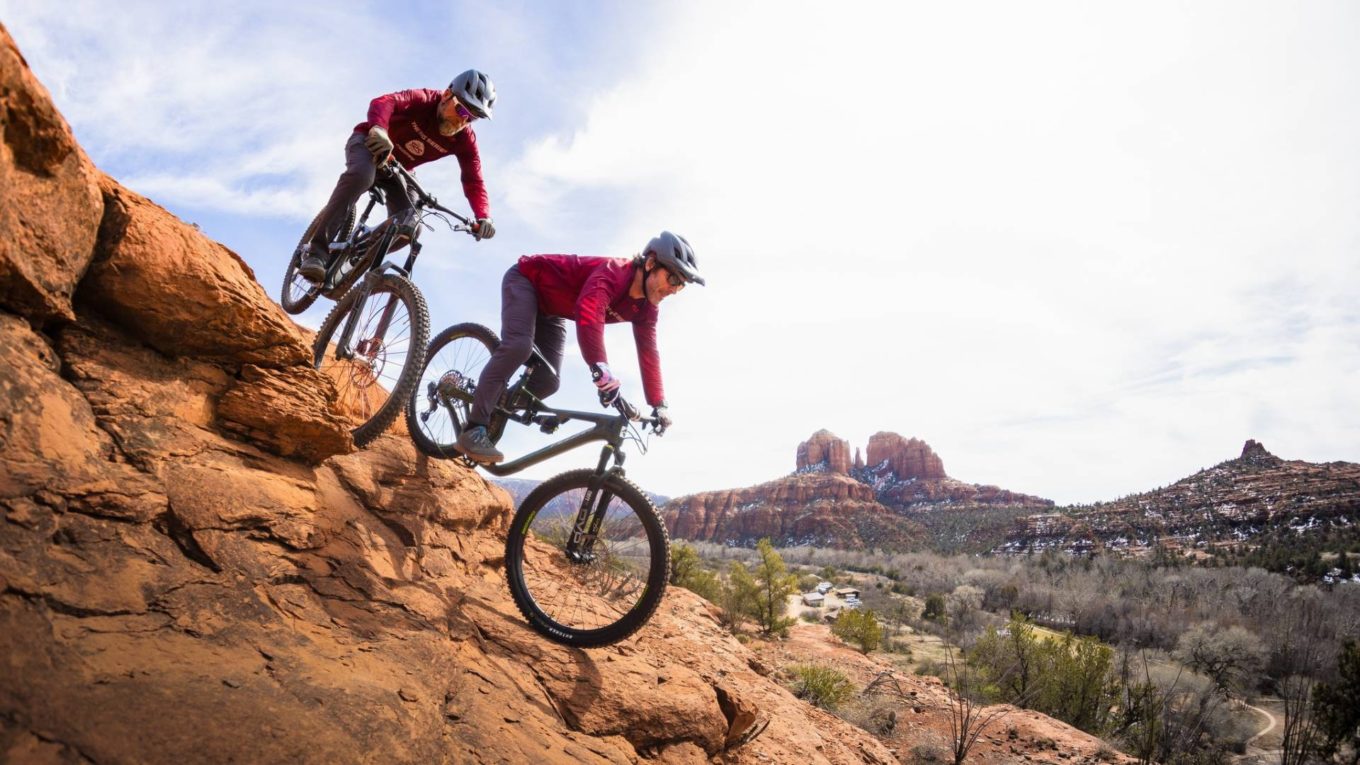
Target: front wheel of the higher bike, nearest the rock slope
[[381, 363]]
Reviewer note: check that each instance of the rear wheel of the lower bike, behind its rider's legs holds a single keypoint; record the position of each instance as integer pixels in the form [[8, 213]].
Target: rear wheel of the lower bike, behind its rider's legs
[[439, 408]]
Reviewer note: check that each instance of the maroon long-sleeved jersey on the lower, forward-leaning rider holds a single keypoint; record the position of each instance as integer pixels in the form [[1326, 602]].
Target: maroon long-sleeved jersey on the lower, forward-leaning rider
[[595, 292]]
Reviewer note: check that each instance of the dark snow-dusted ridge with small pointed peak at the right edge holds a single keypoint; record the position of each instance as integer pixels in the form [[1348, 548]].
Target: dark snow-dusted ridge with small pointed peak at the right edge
[[1229, 504]]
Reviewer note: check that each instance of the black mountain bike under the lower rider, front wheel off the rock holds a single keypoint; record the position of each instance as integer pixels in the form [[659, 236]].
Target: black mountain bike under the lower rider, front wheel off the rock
[[587, 556]]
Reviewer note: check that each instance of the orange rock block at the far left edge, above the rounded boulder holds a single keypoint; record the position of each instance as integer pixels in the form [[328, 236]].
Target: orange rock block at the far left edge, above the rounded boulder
[[50, 198]]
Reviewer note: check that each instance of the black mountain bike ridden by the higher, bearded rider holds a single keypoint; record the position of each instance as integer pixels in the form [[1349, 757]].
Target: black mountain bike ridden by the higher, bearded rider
[[373, 342]]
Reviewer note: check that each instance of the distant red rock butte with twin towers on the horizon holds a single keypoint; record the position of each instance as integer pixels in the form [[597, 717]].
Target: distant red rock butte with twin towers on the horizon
[[834, 500]]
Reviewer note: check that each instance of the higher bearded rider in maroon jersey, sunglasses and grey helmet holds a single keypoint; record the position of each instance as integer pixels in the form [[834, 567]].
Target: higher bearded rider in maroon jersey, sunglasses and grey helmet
[[415, 127]]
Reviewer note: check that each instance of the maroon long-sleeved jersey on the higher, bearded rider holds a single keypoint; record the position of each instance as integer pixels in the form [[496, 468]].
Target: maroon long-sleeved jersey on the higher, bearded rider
[[411, 119]]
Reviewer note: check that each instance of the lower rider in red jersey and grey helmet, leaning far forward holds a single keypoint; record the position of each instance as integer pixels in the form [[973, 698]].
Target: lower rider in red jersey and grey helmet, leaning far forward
[[542, 291]]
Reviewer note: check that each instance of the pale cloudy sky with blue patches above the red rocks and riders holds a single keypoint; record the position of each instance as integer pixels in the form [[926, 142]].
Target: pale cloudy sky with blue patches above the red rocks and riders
[[1082, 250]]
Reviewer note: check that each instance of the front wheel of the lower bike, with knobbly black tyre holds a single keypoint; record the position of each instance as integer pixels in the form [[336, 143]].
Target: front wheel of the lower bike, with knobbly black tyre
[[594, 589]]
